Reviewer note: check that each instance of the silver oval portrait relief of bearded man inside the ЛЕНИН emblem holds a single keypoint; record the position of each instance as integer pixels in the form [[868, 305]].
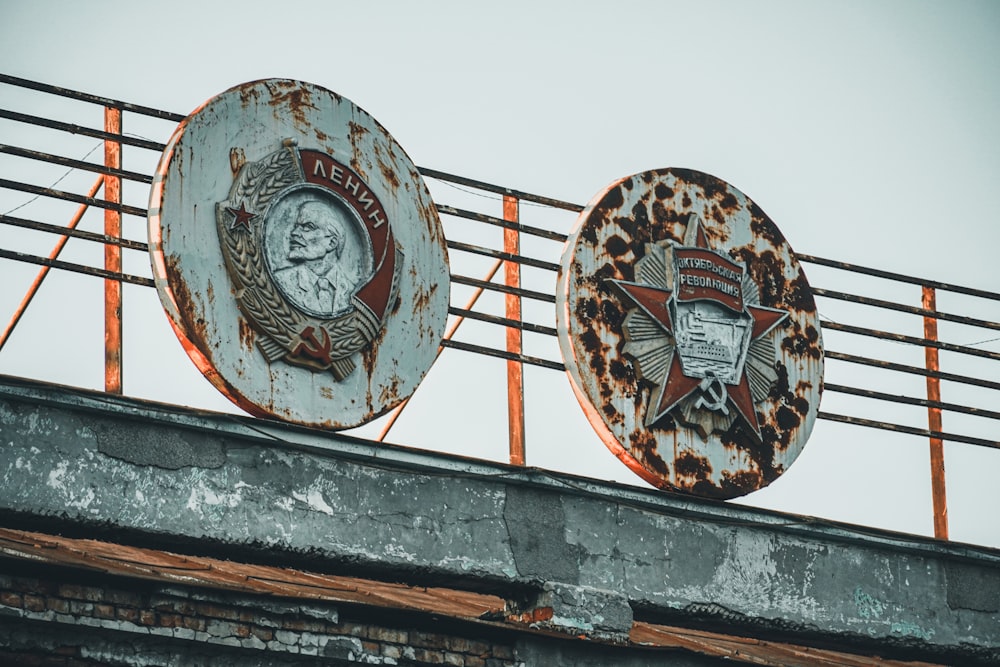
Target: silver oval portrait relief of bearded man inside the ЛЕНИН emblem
[[315, 252]]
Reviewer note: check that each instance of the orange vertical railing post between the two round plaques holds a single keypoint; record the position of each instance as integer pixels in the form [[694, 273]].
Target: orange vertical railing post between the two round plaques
[[515, 370]]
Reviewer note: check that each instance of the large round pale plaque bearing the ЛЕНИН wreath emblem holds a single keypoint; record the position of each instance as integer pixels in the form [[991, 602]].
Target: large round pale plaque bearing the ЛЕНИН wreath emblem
[[298, 254]]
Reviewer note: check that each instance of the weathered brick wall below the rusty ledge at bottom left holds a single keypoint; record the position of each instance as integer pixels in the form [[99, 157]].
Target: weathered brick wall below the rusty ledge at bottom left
[[257, 626]]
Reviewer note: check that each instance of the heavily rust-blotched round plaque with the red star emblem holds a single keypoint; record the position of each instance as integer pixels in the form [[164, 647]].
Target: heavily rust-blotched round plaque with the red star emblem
[[690, 334]]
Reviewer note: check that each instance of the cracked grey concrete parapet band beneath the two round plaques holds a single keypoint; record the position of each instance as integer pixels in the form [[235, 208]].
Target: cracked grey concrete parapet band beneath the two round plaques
[[82, 459]]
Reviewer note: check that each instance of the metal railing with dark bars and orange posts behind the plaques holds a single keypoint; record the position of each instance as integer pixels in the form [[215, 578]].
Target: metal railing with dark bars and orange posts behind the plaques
[[848, 345]]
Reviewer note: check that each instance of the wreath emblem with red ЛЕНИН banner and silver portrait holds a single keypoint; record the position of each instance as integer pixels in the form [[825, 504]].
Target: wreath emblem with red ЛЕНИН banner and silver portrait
[[315, 275]]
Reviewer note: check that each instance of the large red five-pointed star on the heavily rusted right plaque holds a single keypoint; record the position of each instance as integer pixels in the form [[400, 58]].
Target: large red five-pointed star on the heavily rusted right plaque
[[675, 386]]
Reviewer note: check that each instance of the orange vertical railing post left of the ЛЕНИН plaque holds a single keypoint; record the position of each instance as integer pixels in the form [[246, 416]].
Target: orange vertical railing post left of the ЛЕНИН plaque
[[112, 257]]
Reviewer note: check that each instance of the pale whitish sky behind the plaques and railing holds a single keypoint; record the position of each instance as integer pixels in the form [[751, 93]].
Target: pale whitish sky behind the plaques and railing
[[867, 130]]
